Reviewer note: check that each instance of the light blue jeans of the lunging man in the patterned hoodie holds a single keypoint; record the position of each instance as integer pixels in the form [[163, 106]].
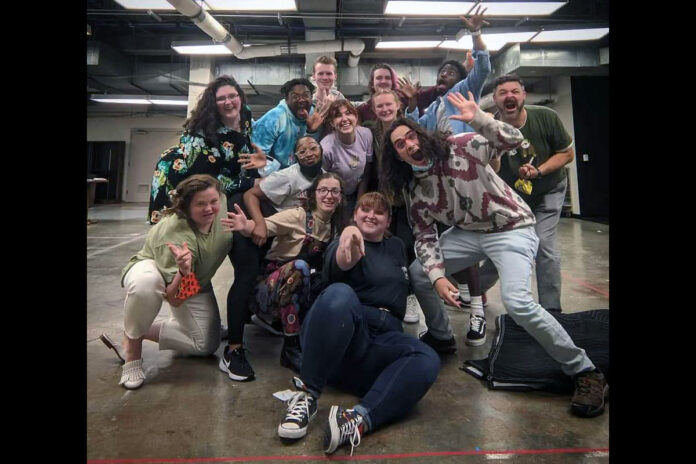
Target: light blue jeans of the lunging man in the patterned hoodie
[[512, 252]]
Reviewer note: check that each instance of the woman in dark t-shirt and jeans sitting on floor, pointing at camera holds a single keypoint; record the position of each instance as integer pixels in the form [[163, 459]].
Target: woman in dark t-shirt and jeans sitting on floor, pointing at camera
[[352, 336]]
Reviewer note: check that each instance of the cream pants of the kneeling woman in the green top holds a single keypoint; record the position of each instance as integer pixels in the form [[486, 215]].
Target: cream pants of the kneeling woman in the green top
[[194, 327]]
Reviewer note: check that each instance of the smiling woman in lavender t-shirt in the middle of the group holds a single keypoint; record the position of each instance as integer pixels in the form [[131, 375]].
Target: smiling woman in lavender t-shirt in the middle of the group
[[347, 150]]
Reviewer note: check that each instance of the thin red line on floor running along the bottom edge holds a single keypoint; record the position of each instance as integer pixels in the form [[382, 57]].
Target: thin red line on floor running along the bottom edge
[[348, 458]]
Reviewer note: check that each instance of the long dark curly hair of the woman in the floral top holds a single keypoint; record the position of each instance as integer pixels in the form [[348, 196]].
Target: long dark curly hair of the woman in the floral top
[[205, 118]]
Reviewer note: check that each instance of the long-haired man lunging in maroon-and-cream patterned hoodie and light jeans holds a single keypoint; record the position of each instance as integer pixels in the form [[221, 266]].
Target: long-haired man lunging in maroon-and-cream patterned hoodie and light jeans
[[451, 182]]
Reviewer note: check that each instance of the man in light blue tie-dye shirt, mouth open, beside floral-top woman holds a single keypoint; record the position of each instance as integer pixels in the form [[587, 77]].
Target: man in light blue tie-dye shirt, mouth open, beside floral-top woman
[[277, 131]]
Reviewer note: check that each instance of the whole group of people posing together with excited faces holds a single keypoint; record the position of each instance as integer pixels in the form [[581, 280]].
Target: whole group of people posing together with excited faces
[[373, 210]]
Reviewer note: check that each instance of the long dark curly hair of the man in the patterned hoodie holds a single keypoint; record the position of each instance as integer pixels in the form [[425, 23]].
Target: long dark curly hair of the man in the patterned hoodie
[[395, 173]]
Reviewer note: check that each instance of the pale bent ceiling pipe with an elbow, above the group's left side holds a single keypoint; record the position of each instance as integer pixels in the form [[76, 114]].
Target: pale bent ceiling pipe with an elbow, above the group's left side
[[218, 33]]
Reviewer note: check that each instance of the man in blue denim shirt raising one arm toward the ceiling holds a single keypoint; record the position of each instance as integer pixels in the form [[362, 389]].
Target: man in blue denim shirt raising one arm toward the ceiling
[[452, 77]]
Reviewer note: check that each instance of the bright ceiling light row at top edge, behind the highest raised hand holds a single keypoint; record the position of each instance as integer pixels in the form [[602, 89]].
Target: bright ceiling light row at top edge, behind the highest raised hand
[[410, 8]]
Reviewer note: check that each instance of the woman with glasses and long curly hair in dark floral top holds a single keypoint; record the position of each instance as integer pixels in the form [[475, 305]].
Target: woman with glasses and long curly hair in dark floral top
[[216, 141]]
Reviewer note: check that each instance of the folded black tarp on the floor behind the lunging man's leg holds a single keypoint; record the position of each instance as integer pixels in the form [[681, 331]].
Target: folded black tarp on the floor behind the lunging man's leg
[[517, 361]]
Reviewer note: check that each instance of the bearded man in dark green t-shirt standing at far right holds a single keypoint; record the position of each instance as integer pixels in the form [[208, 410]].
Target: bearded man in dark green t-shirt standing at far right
[[541, 158]]
